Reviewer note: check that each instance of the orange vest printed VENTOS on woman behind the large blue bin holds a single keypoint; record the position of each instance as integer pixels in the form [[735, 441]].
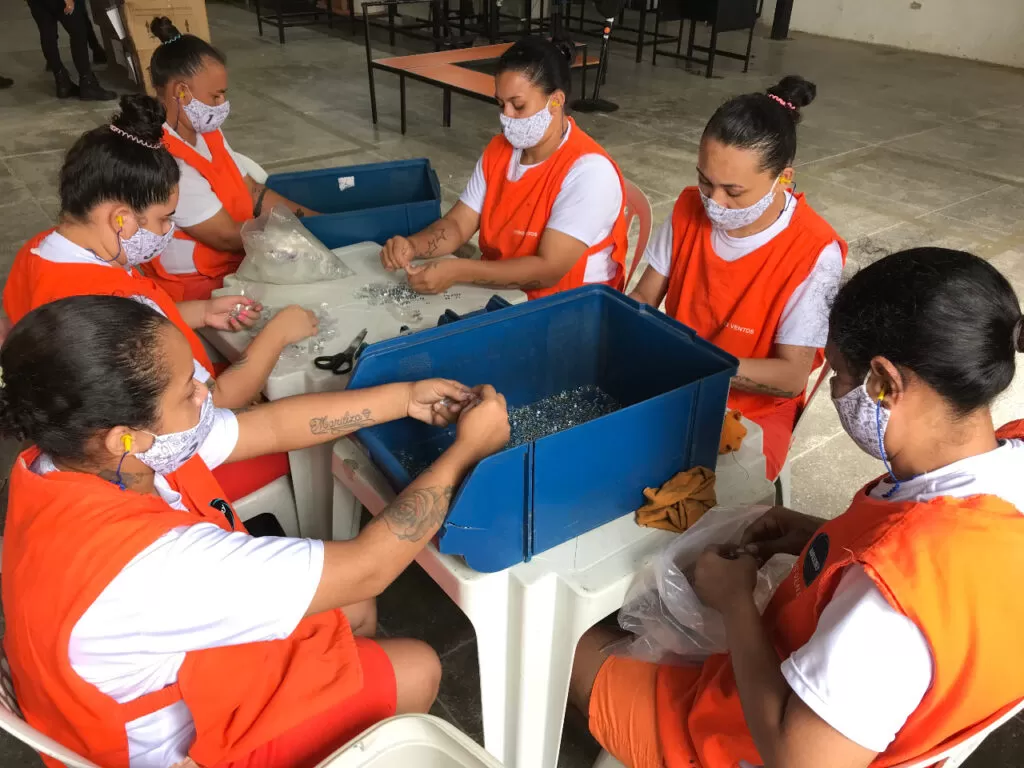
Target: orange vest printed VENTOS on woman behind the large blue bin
[[739, 305]]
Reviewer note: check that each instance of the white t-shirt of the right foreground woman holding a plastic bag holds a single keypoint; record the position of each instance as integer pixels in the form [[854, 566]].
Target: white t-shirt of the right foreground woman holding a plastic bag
[[868, 667]]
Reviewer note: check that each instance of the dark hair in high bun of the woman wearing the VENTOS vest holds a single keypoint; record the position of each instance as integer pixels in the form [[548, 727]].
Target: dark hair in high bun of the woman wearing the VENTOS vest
[[764, 122]]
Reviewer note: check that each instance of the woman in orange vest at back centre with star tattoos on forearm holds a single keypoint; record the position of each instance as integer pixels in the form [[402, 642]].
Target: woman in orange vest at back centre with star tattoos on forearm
[[547, 200]]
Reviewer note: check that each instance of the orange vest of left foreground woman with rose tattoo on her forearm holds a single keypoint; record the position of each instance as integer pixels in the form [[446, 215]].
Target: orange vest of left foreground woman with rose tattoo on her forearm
[[68, 536]]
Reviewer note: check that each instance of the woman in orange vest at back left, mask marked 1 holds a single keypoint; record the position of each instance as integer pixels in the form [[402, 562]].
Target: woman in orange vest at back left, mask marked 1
[[217, 194]]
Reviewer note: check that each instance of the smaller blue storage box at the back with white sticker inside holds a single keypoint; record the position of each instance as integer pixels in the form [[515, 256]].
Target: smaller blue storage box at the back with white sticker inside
[[365, 202]]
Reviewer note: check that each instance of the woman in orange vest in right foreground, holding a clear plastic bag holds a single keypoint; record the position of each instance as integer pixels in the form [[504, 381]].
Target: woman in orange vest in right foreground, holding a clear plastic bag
[[893, 638]]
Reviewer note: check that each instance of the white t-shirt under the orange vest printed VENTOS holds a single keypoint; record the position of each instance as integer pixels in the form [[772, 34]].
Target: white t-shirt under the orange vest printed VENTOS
[[805, 319]]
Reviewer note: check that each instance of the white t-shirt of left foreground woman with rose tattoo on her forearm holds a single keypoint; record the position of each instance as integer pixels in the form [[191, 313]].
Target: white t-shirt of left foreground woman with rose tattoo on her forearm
[[134, 639]]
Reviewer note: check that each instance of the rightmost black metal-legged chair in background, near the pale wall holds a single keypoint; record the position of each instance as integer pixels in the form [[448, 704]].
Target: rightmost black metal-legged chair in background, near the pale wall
[[721, 16]]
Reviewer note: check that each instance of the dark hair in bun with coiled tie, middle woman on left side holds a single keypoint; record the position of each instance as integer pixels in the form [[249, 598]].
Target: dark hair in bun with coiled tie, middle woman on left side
[[109, 163]]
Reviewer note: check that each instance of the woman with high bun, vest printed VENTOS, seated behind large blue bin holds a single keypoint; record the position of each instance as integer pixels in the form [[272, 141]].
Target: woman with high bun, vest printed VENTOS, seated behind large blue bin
[[747, 264]]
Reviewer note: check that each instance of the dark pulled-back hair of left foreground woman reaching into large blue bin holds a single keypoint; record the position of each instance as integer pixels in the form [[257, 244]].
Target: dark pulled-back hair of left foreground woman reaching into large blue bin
[[78, 367]]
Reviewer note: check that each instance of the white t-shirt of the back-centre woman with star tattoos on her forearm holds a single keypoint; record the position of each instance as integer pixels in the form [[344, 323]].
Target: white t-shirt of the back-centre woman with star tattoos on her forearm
[[586, 207]]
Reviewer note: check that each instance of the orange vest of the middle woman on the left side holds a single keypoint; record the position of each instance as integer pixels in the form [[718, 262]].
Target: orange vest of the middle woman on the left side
[[34, 282]]
